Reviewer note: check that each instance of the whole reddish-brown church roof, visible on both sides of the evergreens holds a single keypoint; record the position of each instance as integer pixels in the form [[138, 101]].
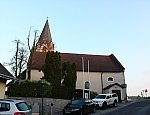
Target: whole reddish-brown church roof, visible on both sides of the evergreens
[[97, 63]]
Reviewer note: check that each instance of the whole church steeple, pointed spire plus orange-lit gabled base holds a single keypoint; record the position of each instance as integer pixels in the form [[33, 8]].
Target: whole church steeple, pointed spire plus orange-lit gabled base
[[45, 43]]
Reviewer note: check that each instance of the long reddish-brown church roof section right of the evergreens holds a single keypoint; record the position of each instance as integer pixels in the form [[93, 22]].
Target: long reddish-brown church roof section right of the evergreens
[[97, 63]]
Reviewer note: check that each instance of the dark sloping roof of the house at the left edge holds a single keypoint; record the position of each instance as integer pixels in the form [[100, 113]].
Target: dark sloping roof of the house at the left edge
[[4, 73]]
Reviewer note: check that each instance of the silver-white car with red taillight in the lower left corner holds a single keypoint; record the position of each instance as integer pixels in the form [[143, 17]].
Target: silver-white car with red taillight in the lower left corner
[[14, 107]]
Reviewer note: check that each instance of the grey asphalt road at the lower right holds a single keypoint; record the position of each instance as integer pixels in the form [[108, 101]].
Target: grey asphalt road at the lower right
[[137, 108]]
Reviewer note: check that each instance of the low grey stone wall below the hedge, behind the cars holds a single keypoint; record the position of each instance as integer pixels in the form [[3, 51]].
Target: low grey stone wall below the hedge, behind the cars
[[36, 104]]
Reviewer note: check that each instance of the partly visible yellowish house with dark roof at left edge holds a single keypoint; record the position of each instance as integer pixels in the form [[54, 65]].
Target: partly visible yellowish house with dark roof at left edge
[[4, 76]]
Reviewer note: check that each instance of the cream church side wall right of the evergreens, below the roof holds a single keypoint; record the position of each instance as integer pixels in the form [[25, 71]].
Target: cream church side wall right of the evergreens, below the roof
[[95, 80]]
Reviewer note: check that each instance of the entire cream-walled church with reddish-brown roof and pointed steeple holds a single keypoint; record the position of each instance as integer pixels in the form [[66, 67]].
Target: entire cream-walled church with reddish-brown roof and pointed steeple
[[99, 73]]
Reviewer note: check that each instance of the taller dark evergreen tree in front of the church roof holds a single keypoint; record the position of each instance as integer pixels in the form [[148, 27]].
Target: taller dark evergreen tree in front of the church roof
[[52, 68]]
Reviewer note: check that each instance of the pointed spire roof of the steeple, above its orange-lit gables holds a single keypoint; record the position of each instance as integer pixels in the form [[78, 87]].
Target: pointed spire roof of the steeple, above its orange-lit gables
[[46, 34]]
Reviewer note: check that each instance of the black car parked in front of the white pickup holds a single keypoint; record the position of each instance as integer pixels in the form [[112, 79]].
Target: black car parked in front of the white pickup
[[79, 107]]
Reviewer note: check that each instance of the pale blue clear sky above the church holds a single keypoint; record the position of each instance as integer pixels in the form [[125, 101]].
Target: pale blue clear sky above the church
[[101, 27]]
